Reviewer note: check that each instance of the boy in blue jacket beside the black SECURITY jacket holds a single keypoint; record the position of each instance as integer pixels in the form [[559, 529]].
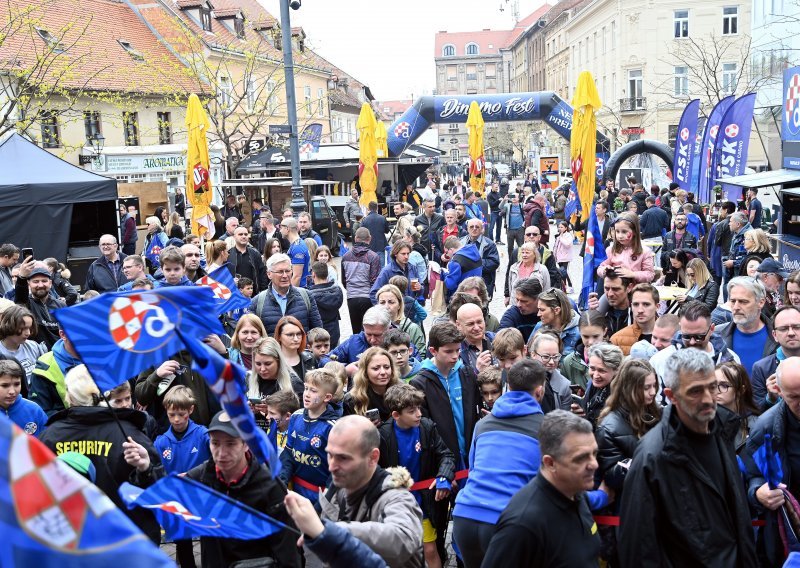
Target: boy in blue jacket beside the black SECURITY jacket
[[182, 447]]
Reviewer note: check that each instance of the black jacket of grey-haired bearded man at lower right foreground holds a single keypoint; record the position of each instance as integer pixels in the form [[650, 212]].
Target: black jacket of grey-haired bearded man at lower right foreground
[[673, 514]]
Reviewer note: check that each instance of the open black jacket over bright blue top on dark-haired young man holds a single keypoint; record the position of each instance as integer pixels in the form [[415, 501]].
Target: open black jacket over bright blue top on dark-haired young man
[[437, 408]]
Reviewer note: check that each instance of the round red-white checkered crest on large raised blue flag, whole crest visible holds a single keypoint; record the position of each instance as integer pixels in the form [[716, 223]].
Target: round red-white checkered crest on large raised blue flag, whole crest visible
[[142, 322]]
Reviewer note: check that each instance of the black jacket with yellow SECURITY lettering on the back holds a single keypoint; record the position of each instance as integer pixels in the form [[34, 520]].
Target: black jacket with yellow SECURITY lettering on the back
[[94, 432]]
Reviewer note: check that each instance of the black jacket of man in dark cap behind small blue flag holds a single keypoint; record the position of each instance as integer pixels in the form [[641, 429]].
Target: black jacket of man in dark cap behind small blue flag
[[259, 490]]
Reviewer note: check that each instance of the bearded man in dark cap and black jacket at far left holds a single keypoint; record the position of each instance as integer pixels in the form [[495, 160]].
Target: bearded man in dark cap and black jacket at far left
[[32, 290]]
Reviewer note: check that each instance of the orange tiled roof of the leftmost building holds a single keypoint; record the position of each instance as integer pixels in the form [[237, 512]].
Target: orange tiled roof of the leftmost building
[[89, 31]]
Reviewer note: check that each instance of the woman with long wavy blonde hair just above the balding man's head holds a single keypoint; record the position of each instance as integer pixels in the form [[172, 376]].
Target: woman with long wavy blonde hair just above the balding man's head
[[375, 374]]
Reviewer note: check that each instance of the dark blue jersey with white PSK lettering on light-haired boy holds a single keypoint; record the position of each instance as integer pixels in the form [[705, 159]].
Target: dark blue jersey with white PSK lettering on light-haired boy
[[304, 458]]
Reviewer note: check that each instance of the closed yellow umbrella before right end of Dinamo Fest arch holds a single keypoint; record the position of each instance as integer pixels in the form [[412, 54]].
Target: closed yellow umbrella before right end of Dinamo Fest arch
[[582, 141]]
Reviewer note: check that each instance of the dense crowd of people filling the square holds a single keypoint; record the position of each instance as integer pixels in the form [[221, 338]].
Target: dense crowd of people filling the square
[[513, 430]]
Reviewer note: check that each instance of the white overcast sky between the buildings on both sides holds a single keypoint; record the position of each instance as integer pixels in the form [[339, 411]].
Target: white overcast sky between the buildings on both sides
[[388, 44]]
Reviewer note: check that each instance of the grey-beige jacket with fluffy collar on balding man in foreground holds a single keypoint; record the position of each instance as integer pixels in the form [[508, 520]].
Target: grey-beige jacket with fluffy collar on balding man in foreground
[[388, 518]]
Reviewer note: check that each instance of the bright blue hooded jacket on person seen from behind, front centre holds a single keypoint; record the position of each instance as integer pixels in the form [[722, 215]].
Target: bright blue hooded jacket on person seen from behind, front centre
[[504, 457]]
